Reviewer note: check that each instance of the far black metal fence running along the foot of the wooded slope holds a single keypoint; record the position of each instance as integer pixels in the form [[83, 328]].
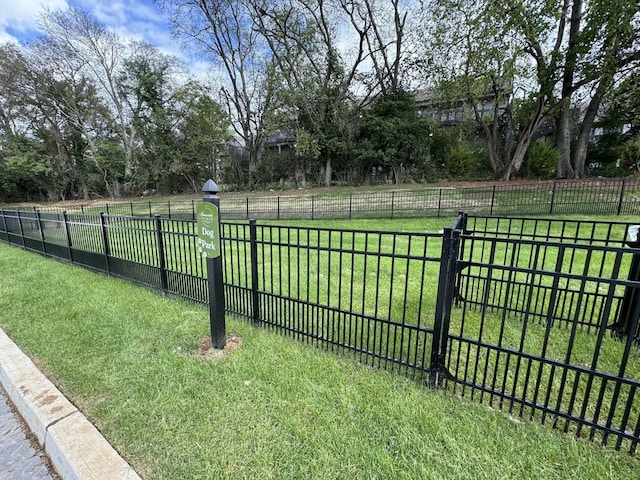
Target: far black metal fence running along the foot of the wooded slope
[[588, 197]]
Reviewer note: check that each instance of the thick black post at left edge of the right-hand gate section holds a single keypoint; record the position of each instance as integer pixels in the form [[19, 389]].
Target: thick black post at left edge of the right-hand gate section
[[446, 288]]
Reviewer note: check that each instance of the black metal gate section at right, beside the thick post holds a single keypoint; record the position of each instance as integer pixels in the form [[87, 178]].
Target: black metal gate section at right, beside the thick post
[[546, 323]]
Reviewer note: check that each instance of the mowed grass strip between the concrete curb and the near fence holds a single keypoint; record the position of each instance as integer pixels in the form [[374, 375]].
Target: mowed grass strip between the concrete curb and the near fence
[[273, 408]]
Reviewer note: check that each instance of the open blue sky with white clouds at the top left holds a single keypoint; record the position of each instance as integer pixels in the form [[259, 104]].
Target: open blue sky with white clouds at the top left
[[134, 19]]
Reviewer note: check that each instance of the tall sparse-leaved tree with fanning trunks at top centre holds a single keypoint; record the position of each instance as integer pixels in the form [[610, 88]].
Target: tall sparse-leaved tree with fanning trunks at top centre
[[328, 86]]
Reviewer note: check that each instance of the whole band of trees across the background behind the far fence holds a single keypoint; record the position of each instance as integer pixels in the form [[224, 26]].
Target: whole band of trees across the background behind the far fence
[[321, 91]]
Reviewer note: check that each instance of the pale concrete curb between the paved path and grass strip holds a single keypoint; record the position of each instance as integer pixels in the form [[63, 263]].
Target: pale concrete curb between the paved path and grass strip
[[75, 447]]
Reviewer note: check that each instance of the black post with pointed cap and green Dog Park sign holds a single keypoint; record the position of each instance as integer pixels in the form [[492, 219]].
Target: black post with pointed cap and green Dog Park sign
[[208, 231]]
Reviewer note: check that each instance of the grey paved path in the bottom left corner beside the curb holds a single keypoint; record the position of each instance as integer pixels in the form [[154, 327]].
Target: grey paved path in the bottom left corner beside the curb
[[19, 460]]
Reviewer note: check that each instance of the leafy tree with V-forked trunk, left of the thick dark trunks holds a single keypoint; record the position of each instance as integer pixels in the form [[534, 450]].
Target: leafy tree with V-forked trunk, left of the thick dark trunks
[[477, 63]]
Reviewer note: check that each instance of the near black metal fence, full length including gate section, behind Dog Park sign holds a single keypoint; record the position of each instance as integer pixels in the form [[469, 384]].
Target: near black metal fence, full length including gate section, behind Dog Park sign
[[536, 317]]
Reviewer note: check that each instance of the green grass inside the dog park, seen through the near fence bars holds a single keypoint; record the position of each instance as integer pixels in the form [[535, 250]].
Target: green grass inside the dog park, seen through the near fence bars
[[311, 265]]
